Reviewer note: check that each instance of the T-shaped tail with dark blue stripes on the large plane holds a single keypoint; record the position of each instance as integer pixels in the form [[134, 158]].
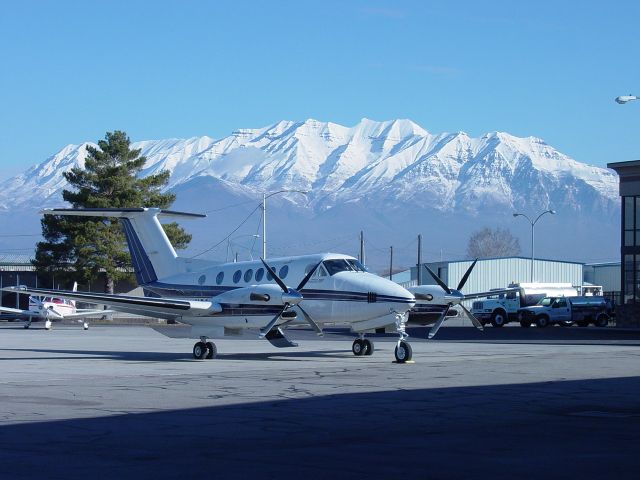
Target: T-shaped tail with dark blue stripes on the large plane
[[152, 254]]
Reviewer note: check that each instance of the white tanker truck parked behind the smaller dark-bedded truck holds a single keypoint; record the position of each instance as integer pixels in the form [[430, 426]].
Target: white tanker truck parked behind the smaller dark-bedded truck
[[503, 308]]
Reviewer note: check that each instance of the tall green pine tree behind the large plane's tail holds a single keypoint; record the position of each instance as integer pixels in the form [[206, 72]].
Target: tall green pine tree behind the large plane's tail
[[79, 248]]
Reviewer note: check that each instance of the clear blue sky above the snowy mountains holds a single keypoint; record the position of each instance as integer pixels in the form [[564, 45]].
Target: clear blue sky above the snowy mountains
[[72, 70]]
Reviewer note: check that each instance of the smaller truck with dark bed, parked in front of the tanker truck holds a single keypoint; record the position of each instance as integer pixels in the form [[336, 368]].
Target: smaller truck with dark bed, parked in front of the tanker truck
[[566, 311]]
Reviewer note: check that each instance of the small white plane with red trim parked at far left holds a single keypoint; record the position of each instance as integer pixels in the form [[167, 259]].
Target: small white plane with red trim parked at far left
[[51, 307]]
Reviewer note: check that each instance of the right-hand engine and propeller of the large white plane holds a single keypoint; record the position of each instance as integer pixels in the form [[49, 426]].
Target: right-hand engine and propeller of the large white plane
[[434, 303]]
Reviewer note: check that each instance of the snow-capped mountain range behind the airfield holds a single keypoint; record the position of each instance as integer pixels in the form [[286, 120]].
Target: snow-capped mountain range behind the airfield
[[390, 177]]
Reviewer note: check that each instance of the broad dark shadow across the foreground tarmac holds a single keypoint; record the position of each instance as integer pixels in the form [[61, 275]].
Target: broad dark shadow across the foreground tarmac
[[585, 429]]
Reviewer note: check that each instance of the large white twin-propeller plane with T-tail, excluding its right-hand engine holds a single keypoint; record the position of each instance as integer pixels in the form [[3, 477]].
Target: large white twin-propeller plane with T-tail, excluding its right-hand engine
[[222, 299]]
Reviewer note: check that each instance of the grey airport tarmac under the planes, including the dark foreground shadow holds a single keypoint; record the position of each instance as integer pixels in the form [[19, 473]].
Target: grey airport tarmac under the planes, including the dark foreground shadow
[[126, 402]]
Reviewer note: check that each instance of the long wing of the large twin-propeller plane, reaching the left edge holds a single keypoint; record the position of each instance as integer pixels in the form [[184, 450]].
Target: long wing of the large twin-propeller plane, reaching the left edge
[[168, 308]]
